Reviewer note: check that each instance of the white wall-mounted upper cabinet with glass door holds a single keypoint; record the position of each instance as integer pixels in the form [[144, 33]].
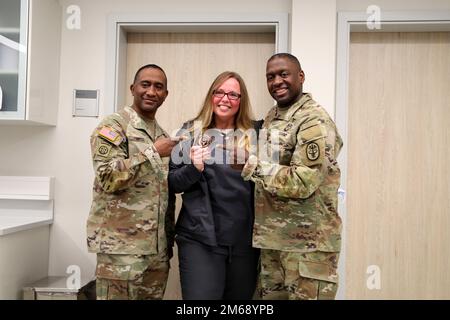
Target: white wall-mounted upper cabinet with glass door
[[30, 36]]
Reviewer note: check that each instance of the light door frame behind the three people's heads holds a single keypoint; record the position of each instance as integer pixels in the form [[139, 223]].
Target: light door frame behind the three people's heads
[[120, 24]]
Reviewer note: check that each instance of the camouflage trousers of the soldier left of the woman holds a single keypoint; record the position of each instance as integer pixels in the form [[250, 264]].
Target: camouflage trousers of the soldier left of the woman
[[131, 277]]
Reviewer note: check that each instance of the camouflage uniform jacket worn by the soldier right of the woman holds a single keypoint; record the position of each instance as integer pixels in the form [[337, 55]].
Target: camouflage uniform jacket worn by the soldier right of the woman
[[296, 197]]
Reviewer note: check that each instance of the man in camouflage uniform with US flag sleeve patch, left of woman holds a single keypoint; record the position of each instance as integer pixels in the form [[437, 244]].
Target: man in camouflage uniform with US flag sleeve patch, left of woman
[[131, 222]]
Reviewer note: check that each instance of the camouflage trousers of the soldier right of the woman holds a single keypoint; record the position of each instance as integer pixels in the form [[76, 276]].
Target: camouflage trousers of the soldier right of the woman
[[298, 276]]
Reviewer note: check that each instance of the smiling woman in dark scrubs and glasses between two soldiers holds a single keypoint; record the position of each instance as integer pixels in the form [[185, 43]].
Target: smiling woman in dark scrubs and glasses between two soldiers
[[214, 228]]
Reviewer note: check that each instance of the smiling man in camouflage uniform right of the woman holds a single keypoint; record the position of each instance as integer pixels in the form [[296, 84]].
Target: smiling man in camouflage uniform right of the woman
[[297, 225]]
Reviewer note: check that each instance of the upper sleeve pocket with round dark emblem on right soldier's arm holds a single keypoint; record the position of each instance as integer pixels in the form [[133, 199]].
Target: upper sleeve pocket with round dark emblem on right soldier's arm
[[312, 145]]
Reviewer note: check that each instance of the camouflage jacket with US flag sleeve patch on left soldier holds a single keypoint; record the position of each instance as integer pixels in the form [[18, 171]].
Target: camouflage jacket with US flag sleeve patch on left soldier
[[131, 212]]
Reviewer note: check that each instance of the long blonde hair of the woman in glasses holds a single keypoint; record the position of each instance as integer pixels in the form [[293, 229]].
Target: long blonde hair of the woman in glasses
[[243, 118]]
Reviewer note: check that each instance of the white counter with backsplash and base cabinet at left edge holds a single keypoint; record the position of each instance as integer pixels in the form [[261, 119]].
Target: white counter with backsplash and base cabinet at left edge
[[26, 213]]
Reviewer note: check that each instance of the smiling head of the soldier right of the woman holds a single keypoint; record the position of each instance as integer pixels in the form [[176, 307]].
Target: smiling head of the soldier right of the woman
[[284, 81]]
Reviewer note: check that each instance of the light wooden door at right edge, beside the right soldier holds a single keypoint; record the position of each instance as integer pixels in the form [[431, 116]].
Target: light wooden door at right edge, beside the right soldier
[[398, 194]]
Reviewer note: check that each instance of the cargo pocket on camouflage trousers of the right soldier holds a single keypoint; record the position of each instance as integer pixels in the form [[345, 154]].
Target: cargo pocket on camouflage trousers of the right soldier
[[320, 278]]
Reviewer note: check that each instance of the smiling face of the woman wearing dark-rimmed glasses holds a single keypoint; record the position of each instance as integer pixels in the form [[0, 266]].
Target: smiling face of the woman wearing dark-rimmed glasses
[[224, 108]]
